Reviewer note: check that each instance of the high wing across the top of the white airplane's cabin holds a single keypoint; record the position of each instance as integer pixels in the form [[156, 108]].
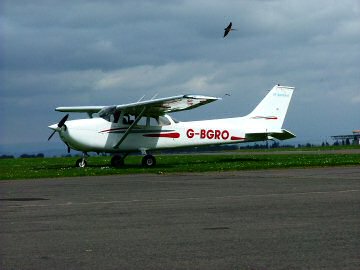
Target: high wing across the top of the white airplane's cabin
[[154, 107]]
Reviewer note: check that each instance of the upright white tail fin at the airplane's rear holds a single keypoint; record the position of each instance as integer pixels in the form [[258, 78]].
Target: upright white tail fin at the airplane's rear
[[271, 111]]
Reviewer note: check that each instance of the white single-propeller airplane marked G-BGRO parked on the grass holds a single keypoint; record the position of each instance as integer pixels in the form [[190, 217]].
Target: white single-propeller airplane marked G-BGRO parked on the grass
[[145, 125]]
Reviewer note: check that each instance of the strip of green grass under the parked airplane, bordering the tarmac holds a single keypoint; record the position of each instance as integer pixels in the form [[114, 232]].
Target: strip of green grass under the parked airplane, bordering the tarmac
[[21, 168]]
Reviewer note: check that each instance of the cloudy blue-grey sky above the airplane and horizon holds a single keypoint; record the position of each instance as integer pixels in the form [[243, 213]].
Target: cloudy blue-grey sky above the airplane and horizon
[[63, 53]]
